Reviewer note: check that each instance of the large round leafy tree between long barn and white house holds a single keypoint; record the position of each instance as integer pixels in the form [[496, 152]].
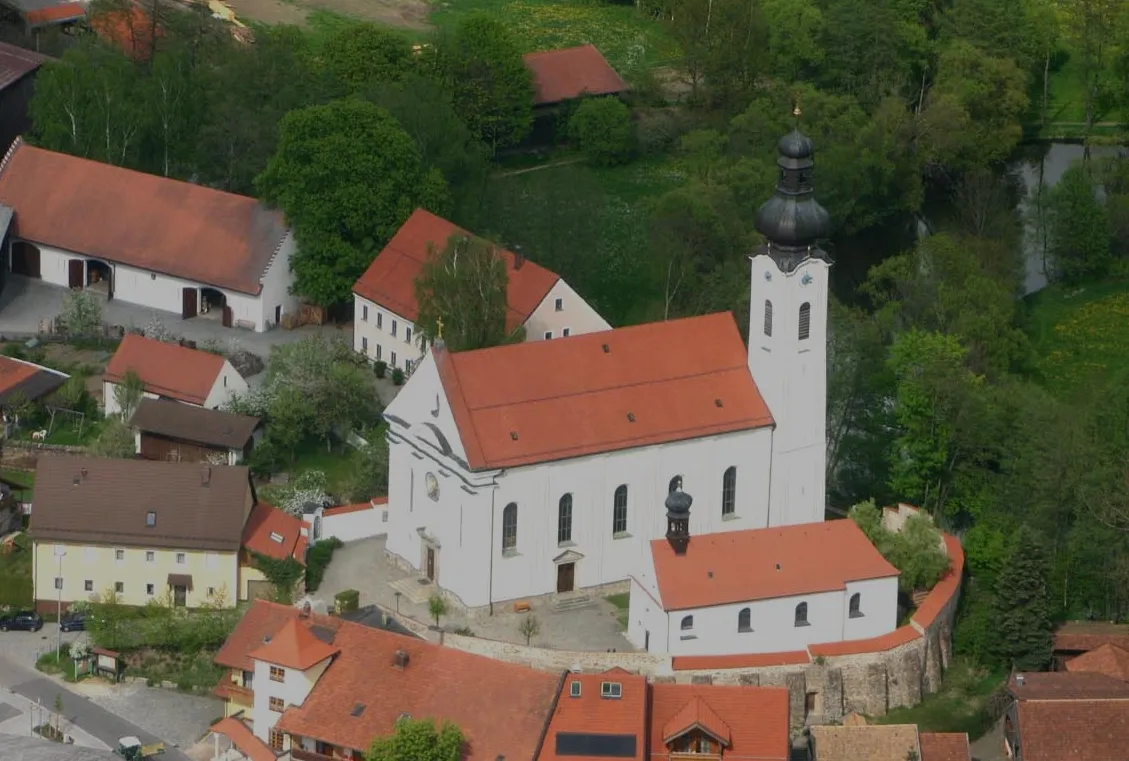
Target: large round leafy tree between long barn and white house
[[347, 176]]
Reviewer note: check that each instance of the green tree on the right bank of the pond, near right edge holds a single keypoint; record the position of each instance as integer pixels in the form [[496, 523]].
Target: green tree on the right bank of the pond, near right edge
[[1080, 230]]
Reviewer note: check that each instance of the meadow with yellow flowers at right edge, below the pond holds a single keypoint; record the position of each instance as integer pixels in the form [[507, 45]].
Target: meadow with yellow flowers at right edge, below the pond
[[1080, 334]]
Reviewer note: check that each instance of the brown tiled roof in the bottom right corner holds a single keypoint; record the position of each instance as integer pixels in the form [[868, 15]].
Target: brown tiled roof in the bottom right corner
[[1074, 730]]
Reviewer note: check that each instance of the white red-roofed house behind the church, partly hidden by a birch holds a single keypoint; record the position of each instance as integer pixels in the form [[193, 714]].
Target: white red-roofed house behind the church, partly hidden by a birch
[[384, 299]]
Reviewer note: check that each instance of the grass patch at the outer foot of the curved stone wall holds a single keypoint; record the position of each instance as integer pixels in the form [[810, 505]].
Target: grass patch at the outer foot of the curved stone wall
[[961, 705]]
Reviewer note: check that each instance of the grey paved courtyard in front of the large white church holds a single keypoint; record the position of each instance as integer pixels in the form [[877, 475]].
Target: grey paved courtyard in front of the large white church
[[362, 566]]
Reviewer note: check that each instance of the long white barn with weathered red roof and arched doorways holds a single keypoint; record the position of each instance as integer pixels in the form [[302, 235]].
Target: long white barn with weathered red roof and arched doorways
[[145, 240]]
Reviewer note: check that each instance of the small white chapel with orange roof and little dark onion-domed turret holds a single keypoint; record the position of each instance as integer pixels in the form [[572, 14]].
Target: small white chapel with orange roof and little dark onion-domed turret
[[767, 591]]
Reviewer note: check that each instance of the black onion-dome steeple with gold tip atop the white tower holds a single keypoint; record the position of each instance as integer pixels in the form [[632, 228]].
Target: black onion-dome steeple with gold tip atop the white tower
[[793, 222]]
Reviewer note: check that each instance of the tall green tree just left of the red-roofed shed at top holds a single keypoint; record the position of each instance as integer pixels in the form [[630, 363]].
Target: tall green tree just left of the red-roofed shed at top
[[493, 89]]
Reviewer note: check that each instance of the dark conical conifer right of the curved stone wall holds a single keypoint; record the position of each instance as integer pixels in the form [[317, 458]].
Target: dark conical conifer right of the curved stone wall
[[1025, 633]]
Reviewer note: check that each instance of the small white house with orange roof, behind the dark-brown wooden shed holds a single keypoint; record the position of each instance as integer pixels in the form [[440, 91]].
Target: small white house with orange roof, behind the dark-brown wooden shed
[[170, 371]]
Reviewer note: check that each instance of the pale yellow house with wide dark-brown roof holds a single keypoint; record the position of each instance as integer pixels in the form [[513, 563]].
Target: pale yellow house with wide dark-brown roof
[[145, 530]]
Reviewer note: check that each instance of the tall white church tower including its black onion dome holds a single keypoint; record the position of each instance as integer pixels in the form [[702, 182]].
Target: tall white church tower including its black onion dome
[[789, 337]]
